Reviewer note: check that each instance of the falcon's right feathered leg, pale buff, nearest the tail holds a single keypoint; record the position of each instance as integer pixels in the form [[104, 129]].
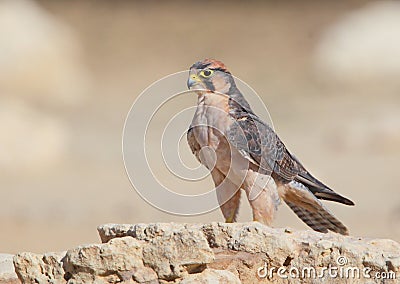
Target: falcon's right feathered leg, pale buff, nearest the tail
[[263, 197]]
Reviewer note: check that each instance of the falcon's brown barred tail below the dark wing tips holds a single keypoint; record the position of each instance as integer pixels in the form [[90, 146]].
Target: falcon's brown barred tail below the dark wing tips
[[310, 210]]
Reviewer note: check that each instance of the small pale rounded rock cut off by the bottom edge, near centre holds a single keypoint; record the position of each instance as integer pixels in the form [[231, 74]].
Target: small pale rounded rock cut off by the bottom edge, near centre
[[212, 276]]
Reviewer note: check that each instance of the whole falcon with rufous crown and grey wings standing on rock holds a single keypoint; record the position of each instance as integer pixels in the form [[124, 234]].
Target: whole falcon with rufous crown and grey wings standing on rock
[[243, 153]]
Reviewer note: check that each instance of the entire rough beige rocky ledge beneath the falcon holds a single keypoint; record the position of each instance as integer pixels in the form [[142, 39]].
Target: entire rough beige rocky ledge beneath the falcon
[[213, 253]]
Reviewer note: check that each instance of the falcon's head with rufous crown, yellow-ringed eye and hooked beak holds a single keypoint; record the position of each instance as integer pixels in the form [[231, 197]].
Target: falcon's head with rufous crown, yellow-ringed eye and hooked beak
[[211, 75]]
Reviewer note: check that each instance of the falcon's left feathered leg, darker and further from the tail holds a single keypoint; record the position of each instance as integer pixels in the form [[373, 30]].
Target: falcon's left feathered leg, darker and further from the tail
[[228, 195]]
